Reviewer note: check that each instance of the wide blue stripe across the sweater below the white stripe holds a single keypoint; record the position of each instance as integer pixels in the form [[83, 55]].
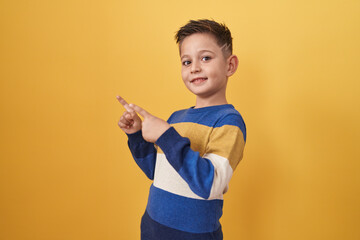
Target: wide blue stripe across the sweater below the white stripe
[[185, 214]]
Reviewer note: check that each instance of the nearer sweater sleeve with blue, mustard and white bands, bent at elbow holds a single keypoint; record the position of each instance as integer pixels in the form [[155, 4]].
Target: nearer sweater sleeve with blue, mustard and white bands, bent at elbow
[[208, 175]]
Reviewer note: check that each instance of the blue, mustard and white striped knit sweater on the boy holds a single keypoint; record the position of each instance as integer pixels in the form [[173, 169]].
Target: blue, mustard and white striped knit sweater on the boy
[[191, 165]]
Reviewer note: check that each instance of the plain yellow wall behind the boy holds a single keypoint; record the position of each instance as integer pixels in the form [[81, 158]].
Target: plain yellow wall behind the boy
[[65, 169]]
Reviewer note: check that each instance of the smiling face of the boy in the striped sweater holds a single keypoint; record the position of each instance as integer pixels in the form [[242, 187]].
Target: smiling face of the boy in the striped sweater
[[204, 68]]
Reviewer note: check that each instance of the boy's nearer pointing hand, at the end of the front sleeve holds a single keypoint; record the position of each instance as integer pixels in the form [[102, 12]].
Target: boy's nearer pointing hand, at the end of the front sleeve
[[152, 127]]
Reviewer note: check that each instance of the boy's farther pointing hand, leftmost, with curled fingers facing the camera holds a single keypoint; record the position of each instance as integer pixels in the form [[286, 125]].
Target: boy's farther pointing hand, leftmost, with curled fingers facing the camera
[[129, 122]]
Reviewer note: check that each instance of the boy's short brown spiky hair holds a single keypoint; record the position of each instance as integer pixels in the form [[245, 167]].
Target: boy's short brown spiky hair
[[221, 33]]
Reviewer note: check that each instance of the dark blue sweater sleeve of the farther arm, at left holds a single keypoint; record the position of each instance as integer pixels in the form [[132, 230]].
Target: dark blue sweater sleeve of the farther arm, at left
[[143, 152]]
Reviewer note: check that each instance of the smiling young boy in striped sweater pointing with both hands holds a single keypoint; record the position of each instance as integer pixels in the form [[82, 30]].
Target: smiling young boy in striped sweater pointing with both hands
[[192, 156]]
